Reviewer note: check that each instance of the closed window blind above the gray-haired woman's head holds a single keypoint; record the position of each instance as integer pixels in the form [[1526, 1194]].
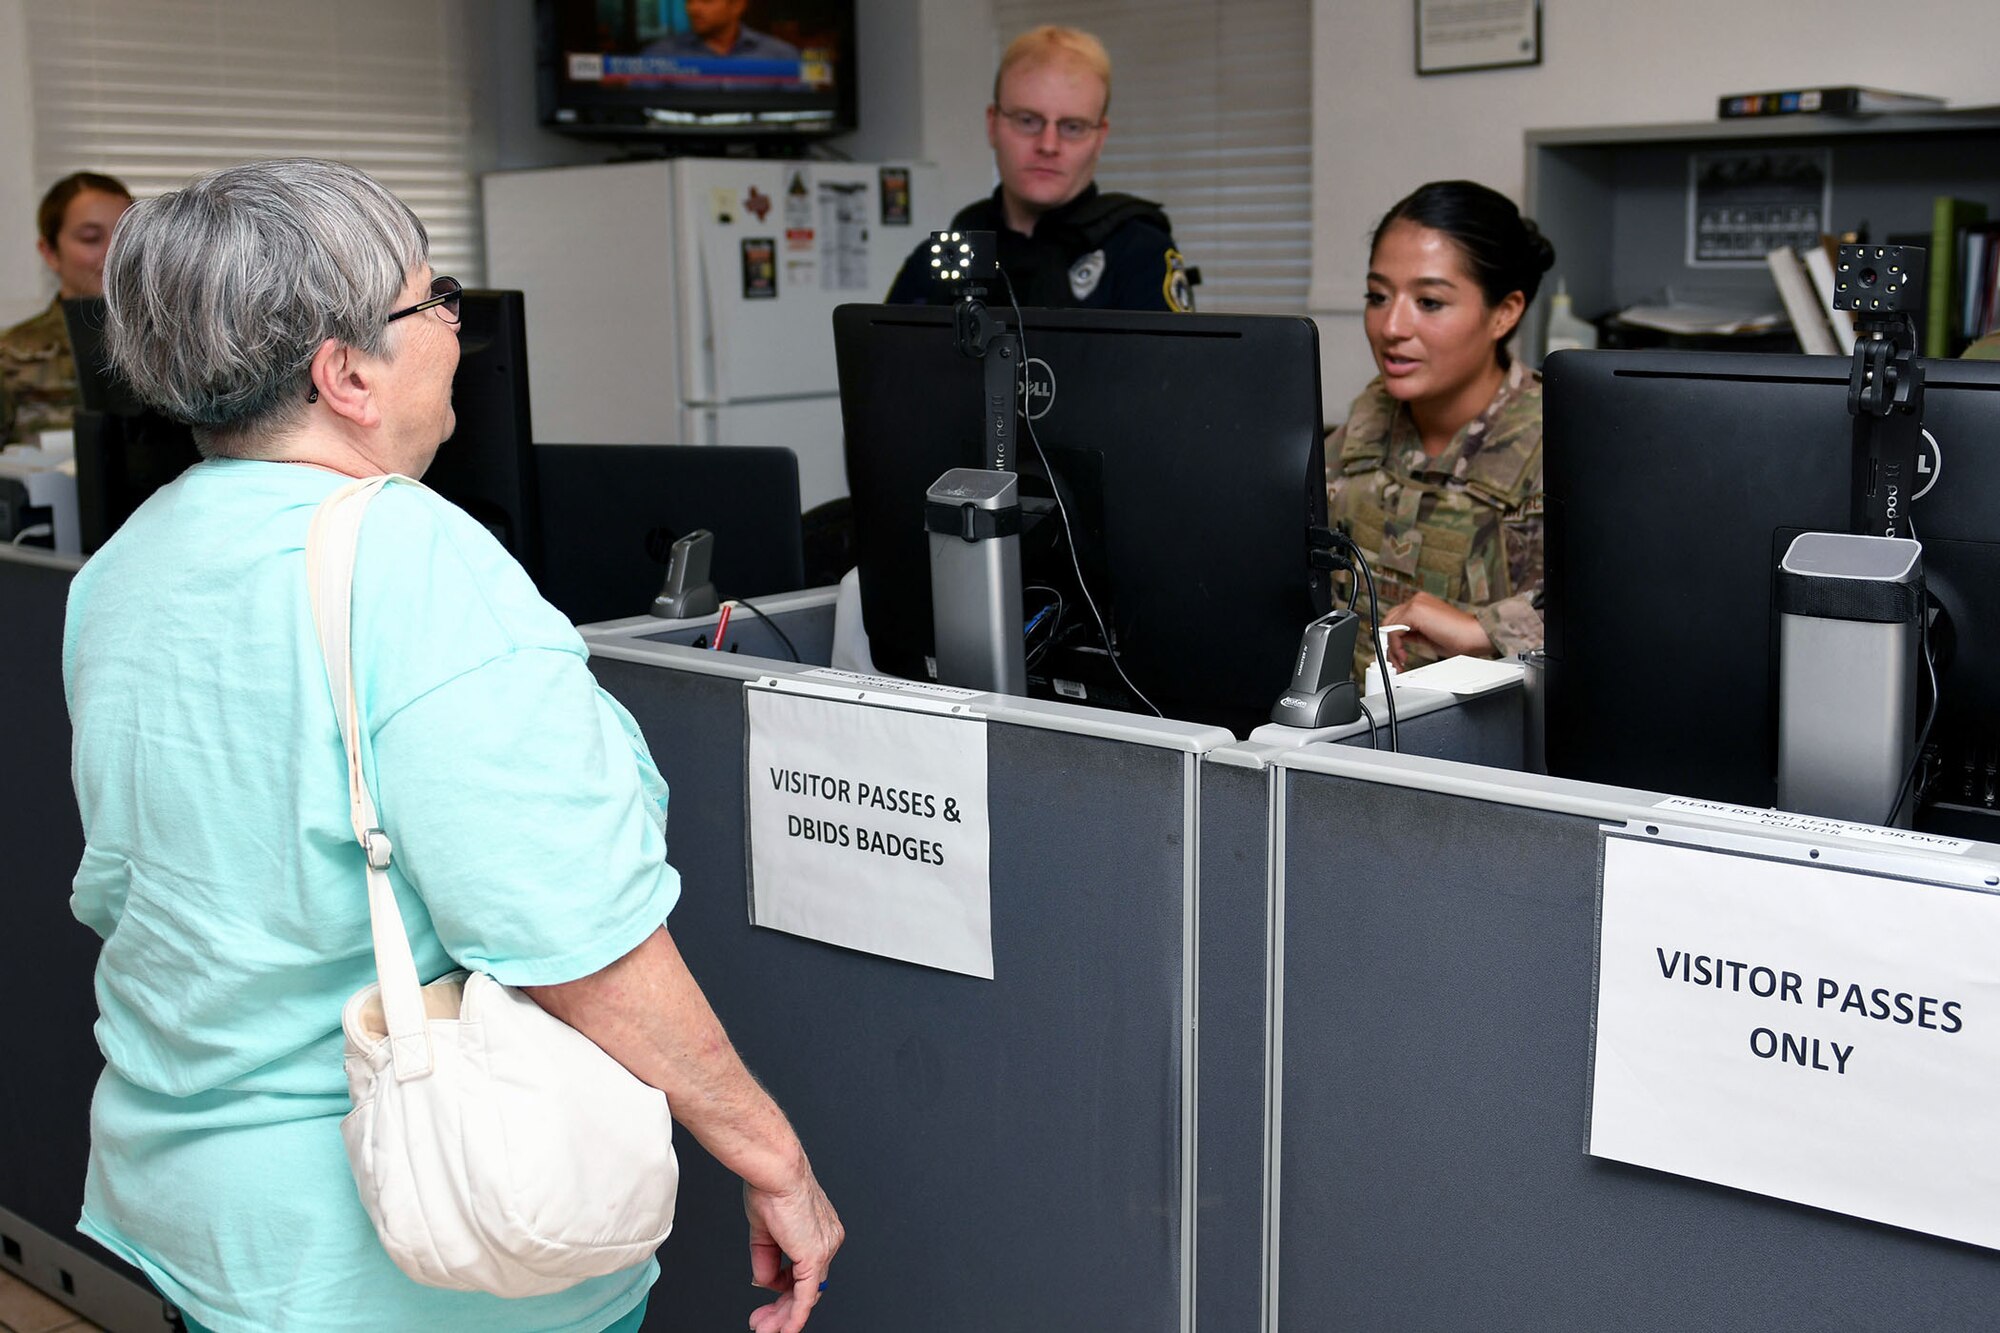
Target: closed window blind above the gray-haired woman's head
[[161, 91]]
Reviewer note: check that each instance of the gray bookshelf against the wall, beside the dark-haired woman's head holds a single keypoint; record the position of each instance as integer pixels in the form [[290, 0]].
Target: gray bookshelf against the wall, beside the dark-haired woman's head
[[1615, 199]]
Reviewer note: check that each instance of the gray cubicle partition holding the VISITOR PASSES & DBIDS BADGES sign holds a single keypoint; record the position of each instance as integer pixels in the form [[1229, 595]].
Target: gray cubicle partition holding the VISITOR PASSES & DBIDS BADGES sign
[[1011, 1154]]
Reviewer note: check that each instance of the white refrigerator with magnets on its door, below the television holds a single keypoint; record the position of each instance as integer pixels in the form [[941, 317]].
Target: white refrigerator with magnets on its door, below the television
[[691, 301]]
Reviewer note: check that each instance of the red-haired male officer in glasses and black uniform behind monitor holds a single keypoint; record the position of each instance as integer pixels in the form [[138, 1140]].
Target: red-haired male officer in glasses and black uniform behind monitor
[[1063, 241]]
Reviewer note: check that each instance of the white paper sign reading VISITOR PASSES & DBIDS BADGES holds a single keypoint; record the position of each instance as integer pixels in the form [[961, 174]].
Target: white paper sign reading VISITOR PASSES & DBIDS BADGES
[[869, 828]]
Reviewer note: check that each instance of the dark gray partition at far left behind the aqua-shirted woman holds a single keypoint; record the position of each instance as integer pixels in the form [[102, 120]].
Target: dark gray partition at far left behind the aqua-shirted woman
[[45, 970]]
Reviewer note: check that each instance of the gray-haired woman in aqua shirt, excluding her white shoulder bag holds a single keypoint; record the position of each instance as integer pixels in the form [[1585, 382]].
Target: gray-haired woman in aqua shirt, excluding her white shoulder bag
[[287, 311]]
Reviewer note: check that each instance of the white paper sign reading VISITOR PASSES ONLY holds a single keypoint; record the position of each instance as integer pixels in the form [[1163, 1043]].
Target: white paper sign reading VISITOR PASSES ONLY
[[1803, 1032]]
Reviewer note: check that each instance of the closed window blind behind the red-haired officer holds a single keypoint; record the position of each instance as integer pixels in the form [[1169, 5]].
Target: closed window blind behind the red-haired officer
[[1213, 119]]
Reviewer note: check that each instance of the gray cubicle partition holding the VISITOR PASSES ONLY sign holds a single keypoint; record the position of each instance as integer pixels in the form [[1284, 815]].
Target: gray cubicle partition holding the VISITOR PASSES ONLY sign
[[1433, 1006]]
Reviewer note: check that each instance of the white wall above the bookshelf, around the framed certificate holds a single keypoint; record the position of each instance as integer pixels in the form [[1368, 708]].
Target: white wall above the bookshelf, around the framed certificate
[[1379, 129]]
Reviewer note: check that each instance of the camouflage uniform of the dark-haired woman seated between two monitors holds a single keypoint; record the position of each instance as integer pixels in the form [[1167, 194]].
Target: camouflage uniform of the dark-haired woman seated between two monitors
[[1465, 527]]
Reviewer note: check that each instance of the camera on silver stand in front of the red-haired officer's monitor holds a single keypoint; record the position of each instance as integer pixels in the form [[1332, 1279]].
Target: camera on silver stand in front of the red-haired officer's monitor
[[973, 515]]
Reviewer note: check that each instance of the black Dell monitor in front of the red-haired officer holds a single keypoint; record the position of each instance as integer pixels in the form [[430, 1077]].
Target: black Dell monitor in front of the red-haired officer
[[1189, 449]]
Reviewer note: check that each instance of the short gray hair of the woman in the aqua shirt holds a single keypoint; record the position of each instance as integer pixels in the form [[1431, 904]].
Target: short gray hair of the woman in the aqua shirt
[[219, 295]]
